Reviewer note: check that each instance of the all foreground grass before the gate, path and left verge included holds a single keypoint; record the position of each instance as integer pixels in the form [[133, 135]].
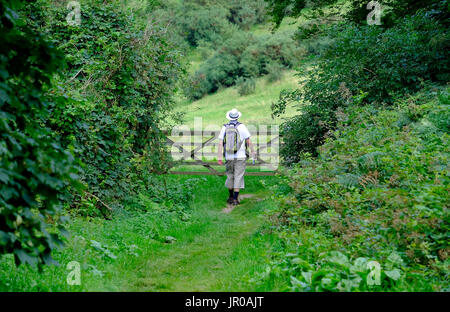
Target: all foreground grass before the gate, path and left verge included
[[213, 251]]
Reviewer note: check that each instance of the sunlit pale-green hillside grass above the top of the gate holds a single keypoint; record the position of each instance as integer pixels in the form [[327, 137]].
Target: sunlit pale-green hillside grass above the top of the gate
[[255, 108]]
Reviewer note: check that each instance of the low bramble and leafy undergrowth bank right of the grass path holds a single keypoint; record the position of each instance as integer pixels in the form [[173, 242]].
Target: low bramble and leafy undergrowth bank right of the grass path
[[377, 191]]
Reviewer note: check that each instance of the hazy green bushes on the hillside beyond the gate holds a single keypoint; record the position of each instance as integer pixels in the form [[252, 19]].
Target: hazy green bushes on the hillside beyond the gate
[[220, 31]]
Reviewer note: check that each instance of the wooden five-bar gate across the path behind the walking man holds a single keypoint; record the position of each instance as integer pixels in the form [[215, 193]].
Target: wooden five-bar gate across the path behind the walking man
[[199, 148]]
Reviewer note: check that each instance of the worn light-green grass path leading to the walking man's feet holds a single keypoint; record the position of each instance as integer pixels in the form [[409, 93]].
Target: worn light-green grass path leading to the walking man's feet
[[218, 252]]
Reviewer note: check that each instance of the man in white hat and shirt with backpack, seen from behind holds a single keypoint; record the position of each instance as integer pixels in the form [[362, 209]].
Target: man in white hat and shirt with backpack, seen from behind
[[234, 141]]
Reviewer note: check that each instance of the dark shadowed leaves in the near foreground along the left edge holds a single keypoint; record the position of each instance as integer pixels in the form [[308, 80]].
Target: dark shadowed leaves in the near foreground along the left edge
[[35, 171]]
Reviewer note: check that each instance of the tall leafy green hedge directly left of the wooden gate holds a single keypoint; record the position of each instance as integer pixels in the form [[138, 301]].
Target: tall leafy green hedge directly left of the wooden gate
[[121, 75]]
